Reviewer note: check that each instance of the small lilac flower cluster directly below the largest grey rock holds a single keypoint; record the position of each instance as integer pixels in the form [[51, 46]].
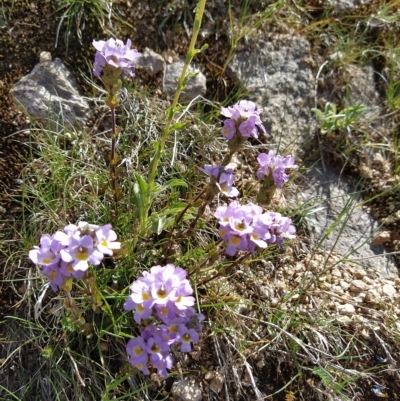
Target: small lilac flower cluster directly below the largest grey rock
[[275, 165]]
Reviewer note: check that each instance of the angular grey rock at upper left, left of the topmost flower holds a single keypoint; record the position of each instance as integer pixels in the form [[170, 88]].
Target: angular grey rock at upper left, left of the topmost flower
[[50, 94]]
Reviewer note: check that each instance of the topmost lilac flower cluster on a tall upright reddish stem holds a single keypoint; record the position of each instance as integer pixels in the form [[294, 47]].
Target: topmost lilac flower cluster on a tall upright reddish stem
[[115, 53]]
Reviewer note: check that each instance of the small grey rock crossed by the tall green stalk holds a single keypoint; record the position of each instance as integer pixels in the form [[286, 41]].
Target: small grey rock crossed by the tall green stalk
[[195, 86]]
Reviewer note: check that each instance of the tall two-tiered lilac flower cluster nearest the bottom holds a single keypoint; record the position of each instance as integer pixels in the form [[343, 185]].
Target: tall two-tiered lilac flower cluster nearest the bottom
[[164, 294]]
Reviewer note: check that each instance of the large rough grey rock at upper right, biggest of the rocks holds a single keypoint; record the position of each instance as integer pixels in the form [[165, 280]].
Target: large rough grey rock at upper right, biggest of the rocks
[[279, 79]]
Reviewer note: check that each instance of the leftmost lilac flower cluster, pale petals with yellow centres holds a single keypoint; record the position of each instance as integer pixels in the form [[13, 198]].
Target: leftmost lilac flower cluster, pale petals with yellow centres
[[67, 253]]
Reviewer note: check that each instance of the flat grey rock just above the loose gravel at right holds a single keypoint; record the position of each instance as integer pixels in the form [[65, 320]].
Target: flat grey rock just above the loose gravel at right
[[351, 236]]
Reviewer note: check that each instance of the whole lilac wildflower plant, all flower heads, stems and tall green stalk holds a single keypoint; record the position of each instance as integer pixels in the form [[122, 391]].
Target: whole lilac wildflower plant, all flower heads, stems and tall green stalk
[[165, 318]]
